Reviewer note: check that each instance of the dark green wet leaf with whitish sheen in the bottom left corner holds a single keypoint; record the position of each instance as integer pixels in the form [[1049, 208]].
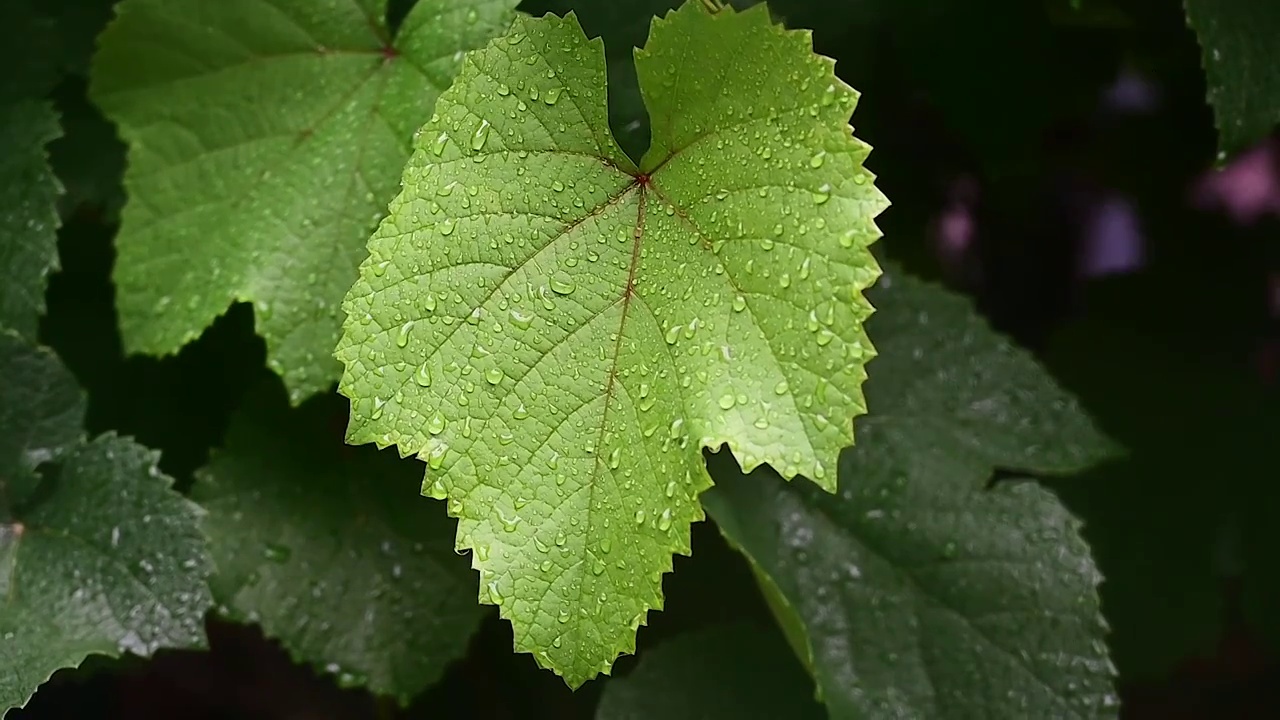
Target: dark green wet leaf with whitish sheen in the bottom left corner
[[98, 554]]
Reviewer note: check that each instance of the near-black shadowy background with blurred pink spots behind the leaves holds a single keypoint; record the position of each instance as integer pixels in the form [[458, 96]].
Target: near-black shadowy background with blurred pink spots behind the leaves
[[1055, 165]]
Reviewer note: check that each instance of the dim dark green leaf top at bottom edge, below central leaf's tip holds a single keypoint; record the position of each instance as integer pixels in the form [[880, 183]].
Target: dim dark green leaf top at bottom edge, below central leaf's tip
[[721, 673]]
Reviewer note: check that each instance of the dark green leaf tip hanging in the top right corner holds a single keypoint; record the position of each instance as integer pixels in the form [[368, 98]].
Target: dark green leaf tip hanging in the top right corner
[[1238, 43]]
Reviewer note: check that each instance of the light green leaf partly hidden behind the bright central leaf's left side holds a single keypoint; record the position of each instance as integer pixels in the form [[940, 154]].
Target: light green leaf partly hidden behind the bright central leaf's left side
[[266, 139]]
